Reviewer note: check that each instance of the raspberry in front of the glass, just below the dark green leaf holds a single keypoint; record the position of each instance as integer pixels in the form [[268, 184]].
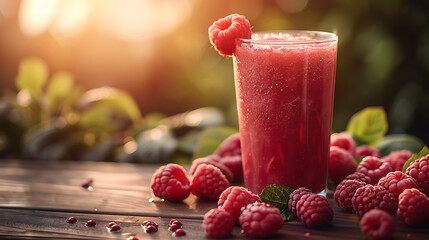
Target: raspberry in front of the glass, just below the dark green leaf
[[260, 220]]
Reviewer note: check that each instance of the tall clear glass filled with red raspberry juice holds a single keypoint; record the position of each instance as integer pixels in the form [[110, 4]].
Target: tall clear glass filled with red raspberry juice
[[285, 91]]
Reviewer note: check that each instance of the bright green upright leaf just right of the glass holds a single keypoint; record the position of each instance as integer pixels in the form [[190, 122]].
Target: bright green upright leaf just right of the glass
[[369, 125]]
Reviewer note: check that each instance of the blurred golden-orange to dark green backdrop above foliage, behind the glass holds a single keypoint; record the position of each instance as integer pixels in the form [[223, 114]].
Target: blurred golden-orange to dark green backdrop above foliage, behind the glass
[[158, 51]]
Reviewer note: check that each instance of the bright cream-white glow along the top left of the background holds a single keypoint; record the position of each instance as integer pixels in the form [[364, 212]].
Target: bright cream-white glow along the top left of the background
[[129, 20]]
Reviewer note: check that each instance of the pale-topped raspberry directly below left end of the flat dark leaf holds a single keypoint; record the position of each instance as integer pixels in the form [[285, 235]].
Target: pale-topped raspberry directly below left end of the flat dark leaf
[[374, 168]]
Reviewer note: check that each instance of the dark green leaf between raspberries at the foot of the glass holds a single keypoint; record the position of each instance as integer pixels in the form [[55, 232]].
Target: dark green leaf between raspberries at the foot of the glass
[[278, 196]]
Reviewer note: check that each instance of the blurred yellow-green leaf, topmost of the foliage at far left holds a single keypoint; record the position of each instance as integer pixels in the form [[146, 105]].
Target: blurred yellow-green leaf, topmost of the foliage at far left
[[32, 75]]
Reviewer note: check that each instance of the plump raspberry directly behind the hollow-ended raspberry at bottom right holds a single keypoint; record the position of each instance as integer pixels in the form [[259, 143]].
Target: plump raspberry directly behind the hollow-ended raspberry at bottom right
[[369, 197]]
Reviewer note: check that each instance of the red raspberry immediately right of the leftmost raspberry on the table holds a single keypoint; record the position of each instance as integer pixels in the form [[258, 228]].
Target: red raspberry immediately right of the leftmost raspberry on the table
[[208, 182]]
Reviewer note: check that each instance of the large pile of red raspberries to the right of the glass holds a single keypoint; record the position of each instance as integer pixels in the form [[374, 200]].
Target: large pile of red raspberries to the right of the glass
[[376, 189]]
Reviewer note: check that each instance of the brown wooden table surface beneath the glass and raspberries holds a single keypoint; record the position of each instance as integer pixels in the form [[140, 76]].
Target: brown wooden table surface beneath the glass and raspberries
[[36, 198]]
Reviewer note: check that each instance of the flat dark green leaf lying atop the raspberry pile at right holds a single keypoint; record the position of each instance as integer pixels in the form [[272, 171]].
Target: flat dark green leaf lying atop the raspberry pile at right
[[396, 142]]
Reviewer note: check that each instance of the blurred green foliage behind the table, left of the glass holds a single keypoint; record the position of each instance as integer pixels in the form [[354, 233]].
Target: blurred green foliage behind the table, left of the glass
[[52, 119]]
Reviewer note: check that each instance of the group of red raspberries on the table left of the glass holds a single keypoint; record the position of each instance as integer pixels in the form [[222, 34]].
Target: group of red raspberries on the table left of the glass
[[211, 175]]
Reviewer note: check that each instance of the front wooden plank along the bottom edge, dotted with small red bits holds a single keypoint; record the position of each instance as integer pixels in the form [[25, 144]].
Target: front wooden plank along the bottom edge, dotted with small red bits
[[52, 225]]
